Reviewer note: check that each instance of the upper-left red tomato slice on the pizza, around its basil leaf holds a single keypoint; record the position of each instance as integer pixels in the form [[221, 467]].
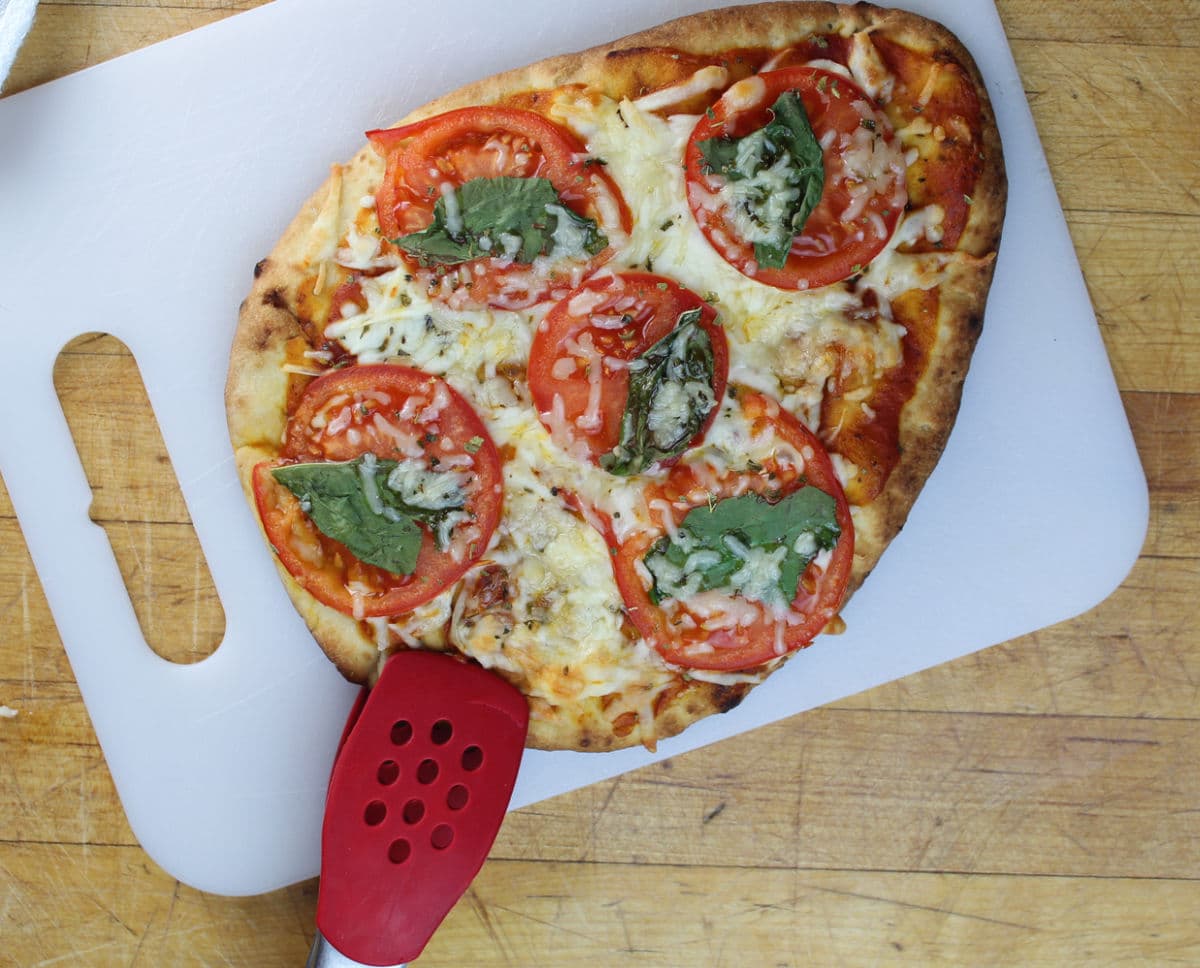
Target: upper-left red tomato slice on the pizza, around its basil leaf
[[452, 149]]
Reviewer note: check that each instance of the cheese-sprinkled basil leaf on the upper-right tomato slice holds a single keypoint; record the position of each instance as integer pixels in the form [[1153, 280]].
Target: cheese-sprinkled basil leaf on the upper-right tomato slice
[[777, 176]]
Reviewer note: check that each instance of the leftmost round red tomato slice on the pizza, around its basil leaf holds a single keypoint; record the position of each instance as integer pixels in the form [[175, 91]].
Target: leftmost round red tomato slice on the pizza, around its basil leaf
[[399, 414]]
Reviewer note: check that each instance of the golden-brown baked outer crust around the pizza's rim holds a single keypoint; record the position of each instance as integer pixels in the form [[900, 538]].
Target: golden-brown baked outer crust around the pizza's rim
[[273, 322]]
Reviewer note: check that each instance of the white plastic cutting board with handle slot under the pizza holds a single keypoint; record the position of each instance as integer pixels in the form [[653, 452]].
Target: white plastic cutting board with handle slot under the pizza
[[136, 199]]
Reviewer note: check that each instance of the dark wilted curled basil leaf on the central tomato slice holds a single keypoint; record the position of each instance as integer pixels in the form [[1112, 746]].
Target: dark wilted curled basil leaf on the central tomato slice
[[670, 399]]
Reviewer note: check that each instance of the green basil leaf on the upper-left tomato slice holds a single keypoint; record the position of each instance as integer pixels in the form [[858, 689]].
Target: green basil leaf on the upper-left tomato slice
[[518, 218]]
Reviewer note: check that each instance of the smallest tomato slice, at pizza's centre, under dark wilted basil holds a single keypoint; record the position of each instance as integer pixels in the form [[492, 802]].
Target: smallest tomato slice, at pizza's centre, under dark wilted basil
[[578, 364]]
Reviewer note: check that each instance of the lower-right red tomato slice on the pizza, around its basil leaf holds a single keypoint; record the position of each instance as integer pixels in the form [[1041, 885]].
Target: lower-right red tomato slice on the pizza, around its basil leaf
[[741, 634]]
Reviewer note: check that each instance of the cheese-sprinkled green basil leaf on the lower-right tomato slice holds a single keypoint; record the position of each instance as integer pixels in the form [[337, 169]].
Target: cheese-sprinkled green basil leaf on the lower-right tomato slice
[[712, 544]]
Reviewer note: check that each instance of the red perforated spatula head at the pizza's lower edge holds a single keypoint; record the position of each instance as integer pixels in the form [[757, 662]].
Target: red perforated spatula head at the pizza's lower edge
[[417, 796]]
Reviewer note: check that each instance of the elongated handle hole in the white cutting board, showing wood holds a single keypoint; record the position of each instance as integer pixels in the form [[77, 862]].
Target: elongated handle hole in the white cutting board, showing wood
[[136, 498]]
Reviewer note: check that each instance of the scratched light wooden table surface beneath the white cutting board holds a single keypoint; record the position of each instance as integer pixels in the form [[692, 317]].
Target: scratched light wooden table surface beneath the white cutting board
[[1036, 803]]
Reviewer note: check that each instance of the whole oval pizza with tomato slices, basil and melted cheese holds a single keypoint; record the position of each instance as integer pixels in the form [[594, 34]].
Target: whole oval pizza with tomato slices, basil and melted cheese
[[617, 374]]
